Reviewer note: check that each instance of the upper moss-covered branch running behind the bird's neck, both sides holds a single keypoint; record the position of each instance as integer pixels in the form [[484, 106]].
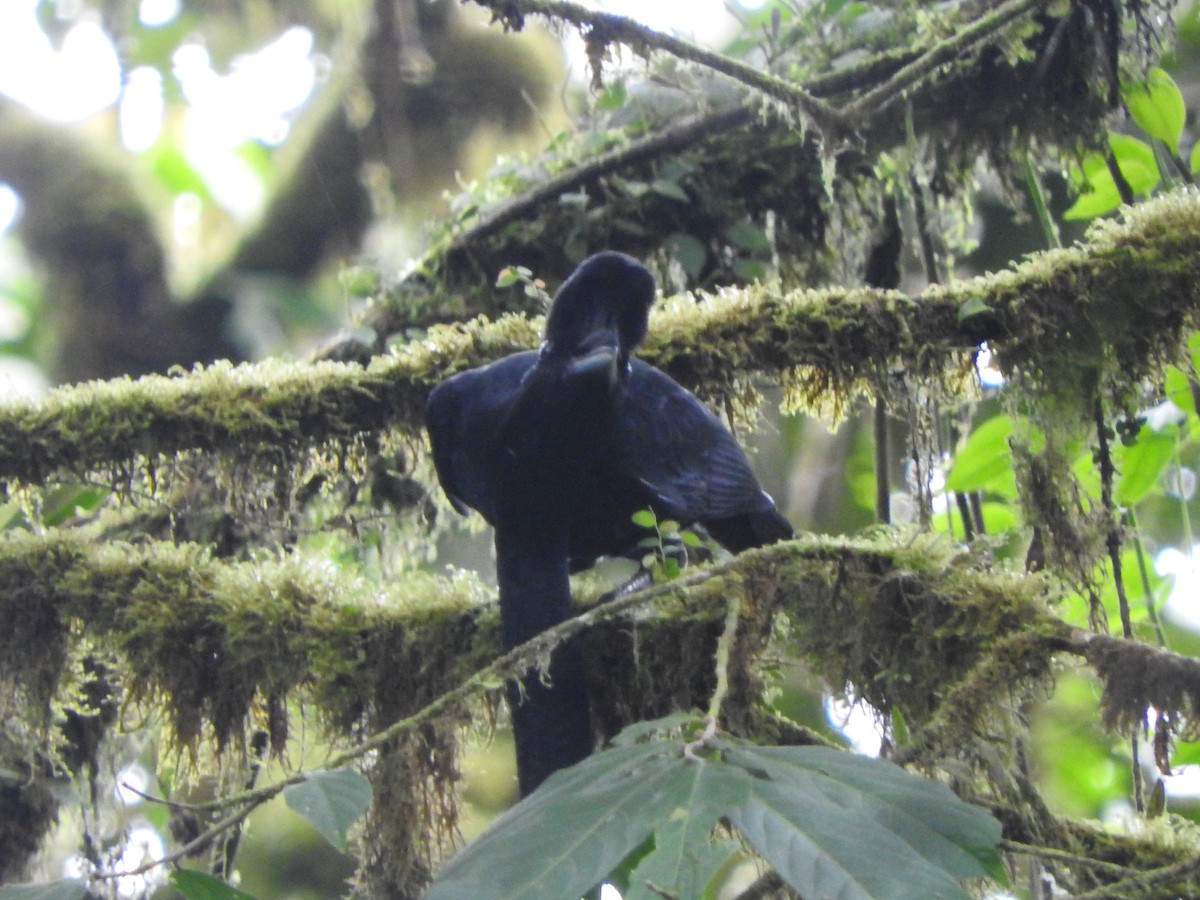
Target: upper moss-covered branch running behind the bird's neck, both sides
[[1131, 290]]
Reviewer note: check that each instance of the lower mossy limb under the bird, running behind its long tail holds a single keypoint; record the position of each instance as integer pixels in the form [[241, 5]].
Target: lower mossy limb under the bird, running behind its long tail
[[949, 638]]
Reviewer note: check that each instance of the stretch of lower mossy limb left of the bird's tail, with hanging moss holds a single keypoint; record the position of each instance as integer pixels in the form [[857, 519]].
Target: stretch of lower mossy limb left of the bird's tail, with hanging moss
[[213, 640]]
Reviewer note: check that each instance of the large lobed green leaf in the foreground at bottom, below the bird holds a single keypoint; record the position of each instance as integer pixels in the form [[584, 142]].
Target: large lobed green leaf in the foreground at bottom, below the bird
[[832, 824]]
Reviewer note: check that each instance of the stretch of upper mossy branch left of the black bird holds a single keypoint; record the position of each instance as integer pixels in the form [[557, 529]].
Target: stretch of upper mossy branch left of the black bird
[[271, 409]]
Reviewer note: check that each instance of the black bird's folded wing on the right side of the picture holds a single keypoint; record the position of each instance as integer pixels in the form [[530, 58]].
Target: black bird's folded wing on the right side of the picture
[[673, 445]]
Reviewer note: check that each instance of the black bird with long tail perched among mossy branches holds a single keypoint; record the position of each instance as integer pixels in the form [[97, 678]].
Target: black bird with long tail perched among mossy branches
[[557, 448]]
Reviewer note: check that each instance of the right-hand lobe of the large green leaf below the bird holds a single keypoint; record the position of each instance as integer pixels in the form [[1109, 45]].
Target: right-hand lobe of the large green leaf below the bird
[[838, 825]]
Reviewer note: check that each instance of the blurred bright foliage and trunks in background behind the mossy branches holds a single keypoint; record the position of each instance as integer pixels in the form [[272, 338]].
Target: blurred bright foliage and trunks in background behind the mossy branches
[[185, 182]]
